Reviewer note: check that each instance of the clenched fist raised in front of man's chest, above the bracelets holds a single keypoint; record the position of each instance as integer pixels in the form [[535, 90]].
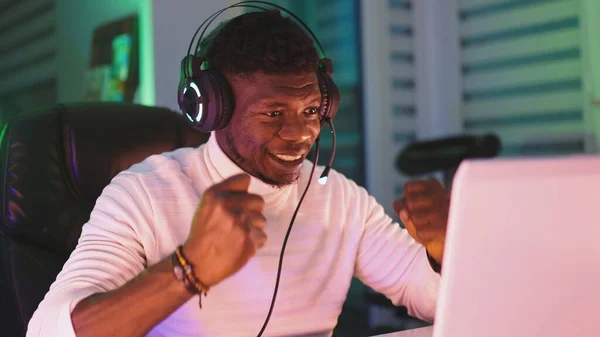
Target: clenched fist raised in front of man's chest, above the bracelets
[[227, 230]]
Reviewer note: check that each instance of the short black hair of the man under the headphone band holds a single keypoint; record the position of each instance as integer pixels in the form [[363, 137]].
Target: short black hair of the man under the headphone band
[[261, 41]]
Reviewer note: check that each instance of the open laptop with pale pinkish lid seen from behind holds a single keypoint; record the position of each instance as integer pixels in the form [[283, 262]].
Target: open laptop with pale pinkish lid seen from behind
[[522, 251]]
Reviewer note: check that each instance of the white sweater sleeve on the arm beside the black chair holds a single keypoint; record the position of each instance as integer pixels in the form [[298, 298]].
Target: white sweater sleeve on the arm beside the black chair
[[109, 253]]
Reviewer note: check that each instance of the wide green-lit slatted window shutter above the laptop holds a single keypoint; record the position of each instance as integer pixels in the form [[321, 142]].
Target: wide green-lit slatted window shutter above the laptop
[[522, 74]]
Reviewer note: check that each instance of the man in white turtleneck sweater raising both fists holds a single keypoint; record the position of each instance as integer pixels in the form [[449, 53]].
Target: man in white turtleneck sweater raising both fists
[[228, 204]]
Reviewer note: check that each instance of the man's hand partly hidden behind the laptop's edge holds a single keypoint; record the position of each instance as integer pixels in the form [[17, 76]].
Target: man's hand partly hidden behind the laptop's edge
[[424, 212]]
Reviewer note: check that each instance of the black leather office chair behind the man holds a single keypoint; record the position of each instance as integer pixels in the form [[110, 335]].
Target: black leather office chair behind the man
[[55, 164]]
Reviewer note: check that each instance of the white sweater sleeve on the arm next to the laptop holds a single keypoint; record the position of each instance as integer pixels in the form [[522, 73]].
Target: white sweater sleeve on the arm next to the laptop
[[391, 262]]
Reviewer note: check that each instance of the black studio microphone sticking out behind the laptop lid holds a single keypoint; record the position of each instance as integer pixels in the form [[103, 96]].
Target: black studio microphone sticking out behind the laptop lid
[[442, 154]]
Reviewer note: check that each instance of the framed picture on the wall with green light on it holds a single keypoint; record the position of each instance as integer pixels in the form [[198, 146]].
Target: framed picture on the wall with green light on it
[[113, 73]]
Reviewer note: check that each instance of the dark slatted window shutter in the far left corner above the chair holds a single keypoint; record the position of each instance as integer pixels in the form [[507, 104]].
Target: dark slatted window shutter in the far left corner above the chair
[[28, 43]]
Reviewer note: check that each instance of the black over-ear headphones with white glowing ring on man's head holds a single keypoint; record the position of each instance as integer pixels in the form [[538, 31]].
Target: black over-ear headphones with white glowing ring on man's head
[[205, 96]]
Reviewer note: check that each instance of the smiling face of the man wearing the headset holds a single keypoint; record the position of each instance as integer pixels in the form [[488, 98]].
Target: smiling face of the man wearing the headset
[[274, 124]]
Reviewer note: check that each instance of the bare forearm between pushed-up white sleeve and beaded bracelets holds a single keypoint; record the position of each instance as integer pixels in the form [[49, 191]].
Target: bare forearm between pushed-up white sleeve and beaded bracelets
[[133, 309]]
